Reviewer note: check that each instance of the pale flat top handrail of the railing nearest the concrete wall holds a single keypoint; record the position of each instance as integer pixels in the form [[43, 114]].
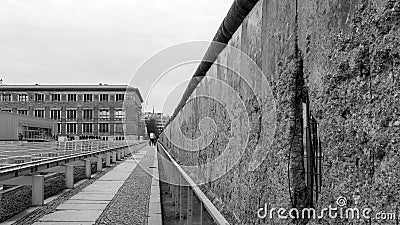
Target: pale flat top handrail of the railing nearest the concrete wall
[[208, 205]]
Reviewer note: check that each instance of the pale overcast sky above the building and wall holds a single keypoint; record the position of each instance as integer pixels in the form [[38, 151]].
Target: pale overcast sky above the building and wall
[[101, 41]]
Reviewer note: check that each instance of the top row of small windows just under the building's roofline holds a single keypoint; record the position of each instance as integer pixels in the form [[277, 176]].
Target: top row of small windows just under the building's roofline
[[57, 97]]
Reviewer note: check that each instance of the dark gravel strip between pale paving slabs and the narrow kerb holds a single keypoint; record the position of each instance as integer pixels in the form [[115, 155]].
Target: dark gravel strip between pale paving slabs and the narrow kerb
[[130, 204]]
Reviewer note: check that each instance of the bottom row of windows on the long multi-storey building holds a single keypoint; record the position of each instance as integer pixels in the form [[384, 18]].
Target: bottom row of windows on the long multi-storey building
[[87, 128]]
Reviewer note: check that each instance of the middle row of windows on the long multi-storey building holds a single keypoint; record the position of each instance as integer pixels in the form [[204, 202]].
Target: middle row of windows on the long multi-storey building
[[72, 114]]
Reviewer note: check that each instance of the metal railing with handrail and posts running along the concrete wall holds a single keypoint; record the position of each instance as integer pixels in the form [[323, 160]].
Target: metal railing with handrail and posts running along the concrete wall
[[178, 179]]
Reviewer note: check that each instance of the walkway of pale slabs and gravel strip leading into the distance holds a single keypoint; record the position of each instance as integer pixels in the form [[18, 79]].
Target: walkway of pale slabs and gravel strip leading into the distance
[[121, 196]]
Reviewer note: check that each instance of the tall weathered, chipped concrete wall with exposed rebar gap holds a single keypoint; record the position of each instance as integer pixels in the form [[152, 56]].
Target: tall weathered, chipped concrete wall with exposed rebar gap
[[347, 54]]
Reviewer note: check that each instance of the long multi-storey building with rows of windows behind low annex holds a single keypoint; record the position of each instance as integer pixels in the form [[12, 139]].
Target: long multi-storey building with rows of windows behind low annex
[[109, 112]]
